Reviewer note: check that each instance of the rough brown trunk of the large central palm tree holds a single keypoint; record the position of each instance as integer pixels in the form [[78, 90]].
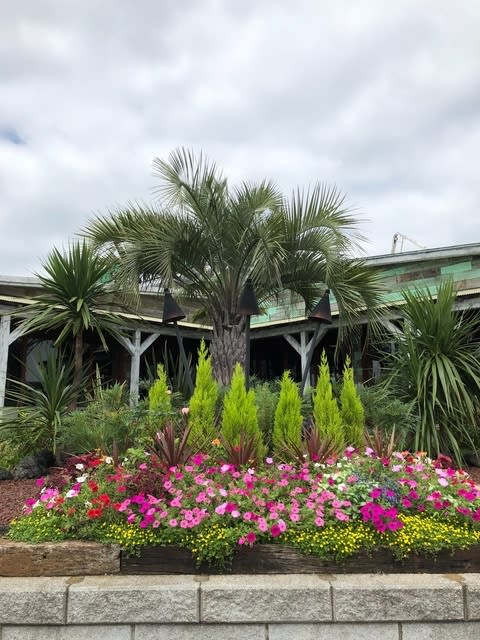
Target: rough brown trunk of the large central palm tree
[[227, 348]]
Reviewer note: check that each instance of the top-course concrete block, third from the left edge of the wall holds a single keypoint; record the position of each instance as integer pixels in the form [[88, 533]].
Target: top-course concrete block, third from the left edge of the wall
[[265, 598]]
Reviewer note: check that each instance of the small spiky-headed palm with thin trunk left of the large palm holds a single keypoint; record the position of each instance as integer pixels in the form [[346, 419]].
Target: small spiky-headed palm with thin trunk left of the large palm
[[74, 288]]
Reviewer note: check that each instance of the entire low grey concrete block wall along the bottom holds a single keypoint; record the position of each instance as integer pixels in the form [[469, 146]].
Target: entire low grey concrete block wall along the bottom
[[274, 607]]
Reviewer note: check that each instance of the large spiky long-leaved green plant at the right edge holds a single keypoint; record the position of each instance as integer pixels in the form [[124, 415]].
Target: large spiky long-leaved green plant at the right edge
[[436, 365]]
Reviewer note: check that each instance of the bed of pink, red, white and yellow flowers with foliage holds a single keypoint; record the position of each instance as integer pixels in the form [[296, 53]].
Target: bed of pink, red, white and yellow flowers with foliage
[[398, 507]]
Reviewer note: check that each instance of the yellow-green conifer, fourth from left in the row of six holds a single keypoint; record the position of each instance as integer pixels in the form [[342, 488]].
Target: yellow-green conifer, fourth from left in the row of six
[[287, 428]]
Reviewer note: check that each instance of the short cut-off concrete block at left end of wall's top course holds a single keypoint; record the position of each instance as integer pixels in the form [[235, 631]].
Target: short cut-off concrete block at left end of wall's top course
[[32, 601]]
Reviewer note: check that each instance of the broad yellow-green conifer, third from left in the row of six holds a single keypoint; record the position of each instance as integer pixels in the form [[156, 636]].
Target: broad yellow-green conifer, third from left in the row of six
[[239, 416]]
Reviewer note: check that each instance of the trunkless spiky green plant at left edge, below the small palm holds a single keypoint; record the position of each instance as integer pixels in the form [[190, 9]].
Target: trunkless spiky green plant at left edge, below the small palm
[[41, 410]]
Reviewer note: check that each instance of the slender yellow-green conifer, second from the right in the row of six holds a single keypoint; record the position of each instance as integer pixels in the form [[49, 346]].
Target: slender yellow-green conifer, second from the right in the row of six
[[326, 414]]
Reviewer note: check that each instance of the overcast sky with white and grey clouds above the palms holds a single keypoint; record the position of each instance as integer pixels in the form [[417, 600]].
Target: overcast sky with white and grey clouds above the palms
[[380, 99]]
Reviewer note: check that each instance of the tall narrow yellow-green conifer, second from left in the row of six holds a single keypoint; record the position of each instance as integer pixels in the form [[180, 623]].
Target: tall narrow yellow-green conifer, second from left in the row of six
[[203, 401]]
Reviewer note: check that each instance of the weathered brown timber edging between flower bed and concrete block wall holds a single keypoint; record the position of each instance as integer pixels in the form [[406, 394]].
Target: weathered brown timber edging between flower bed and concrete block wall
[[18, 559]]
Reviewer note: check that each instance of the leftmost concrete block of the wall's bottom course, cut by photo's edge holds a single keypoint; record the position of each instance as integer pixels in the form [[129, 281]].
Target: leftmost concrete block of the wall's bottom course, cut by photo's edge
[[97, 632]]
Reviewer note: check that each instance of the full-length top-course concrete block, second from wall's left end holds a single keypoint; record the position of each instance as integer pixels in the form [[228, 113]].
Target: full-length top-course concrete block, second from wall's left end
[[133, 599]]
